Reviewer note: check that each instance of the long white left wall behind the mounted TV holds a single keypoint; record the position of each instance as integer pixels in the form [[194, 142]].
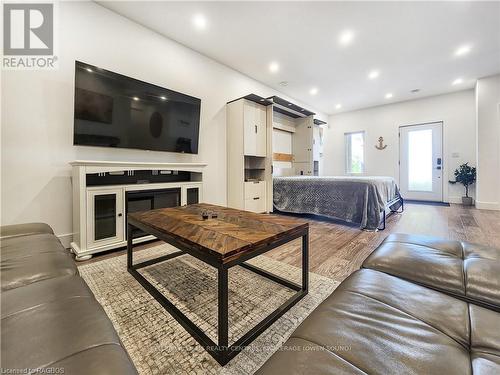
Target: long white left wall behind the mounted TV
[[37, 116]]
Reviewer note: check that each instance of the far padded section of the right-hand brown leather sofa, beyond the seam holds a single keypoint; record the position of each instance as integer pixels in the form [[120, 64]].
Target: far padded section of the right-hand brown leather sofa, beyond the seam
[[462, 269]]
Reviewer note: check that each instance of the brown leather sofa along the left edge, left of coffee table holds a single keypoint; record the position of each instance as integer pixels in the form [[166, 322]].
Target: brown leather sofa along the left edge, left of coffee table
[[50, 320]]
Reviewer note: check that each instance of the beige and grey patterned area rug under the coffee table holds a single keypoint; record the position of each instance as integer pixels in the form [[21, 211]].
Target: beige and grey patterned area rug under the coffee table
[[155, 341]]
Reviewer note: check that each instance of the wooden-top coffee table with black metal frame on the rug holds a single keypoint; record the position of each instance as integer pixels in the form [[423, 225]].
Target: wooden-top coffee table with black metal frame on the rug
[[226, 241]]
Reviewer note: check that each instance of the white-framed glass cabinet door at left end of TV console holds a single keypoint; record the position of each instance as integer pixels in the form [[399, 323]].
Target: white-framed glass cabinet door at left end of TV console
[[105, 217]]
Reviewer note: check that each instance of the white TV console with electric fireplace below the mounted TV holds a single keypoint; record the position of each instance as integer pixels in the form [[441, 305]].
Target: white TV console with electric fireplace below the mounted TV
[[99, 209]]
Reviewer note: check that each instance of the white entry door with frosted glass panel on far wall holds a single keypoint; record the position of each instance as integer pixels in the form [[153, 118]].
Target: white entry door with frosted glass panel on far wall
[[421, 161]]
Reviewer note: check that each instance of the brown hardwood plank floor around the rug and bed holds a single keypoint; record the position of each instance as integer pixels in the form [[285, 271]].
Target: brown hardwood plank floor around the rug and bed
[[337, 250]]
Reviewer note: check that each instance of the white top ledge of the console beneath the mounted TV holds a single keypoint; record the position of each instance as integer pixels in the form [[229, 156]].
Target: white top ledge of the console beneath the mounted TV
[[96, 166]]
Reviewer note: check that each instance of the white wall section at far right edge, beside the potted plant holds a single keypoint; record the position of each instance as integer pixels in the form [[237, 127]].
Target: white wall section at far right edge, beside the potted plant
[[488, 142]]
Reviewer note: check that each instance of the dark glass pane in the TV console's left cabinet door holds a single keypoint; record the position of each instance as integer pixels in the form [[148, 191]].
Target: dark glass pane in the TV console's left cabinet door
[[104, 216]]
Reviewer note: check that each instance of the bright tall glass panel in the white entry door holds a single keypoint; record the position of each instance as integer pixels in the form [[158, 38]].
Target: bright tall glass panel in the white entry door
[[420, 160]]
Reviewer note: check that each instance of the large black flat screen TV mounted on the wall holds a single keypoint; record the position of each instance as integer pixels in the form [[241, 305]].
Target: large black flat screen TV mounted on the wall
[[112, 110]]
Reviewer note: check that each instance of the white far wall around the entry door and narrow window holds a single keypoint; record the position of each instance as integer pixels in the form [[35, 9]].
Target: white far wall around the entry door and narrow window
[[457, 111]]
